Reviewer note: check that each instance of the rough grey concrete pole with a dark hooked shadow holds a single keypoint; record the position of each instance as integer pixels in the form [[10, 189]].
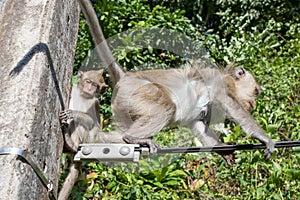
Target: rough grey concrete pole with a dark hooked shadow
[[37, 47]]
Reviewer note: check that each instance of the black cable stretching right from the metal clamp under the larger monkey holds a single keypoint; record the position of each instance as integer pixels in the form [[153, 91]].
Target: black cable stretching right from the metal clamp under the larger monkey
[[227, 147]]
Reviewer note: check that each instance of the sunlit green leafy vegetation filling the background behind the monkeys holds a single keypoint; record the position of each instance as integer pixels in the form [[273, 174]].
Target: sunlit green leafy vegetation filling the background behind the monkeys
[[261, 35]]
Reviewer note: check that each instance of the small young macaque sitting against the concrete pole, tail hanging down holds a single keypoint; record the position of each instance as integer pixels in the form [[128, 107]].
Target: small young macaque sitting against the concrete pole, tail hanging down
[[82, 120]]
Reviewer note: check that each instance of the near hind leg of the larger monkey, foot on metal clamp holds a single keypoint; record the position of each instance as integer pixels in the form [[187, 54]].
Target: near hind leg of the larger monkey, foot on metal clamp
[[150, 110]]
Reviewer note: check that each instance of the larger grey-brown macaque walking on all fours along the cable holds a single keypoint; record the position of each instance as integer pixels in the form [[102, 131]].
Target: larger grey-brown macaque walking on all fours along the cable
[[146, 101]]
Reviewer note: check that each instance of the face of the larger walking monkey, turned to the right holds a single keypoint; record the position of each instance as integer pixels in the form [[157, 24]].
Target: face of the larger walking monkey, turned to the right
[[247, 89]]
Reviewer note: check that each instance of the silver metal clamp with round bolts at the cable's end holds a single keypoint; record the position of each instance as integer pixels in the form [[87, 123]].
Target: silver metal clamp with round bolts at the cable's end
[[110, 152]]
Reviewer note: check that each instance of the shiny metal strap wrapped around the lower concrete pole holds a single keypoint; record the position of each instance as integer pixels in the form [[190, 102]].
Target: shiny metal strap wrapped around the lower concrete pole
[[23, 154]]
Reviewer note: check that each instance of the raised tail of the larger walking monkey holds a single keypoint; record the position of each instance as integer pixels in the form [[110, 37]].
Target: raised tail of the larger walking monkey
[[115, 71]]
